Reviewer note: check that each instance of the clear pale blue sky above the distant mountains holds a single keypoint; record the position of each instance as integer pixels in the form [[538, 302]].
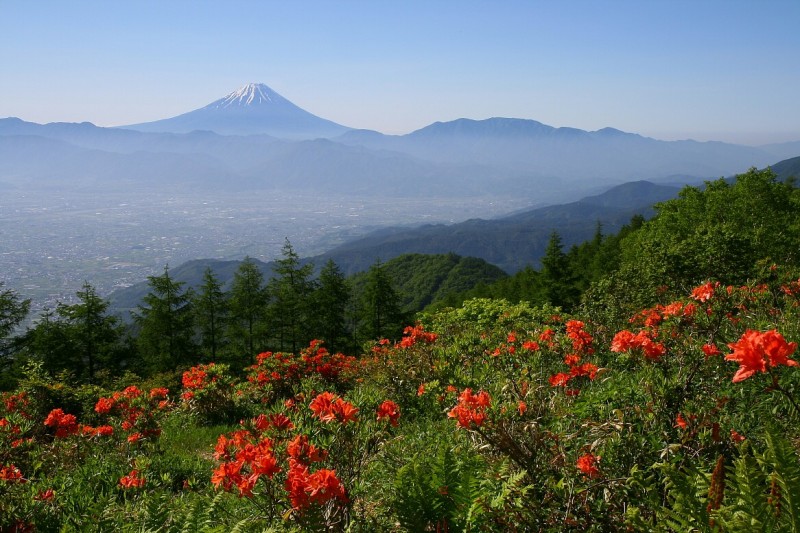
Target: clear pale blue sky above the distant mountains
[[702, 69]]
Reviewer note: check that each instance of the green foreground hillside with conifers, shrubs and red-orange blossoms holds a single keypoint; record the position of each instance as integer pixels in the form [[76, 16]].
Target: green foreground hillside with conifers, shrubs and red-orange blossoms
[[644, 380]]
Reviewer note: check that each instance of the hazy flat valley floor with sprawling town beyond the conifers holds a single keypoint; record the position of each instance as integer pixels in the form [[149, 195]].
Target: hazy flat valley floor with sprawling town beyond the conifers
[[51, 242]]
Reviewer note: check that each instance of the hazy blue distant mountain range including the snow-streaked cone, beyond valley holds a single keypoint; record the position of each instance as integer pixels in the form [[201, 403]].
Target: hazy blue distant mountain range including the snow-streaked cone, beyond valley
[[255, 139]]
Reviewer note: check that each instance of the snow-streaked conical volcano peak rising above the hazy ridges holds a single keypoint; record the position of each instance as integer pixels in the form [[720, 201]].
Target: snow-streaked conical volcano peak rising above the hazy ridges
[[254, 109]]
